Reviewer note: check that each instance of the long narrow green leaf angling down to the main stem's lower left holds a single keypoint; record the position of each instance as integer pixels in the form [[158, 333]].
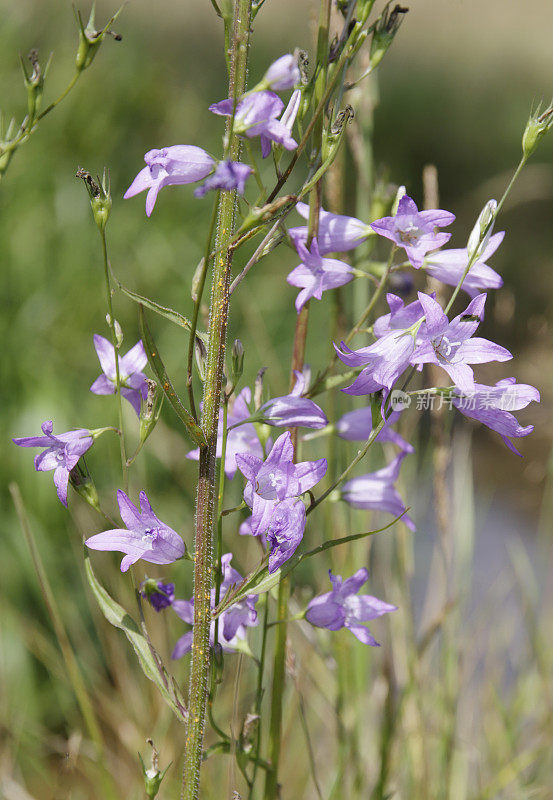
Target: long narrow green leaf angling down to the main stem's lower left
[[119, 618]]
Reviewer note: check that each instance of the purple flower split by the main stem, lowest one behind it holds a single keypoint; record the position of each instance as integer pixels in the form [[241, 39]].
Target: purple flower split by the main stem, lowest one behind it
[[232, 622]]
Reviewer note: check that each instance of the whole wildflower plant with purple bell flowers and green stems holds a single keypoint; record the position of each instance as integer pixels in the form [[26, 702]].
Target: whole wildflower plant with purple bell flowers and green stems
[[232, 432]]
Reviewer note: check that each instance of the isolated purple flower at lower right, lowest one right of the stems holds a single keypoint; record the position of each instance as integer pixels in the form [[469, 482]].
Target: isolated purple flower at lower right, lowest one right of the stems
[[344, 608]]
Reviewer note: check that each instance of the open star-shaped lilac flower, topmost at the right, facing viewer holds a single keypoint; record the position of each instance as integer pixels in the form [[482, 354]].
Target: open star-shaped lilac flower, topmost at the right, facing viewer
[[415, 230]]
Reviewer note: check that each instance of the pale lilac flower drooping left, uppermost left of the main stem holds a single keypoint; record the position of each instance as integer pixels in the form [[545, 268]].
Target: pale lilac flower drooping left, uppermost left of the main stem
[[170, 166]]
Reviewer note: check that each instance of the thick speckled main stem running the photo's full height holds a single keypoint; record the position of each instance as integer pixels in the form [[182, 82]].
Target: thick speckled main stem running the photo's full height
[[205, 505]]
